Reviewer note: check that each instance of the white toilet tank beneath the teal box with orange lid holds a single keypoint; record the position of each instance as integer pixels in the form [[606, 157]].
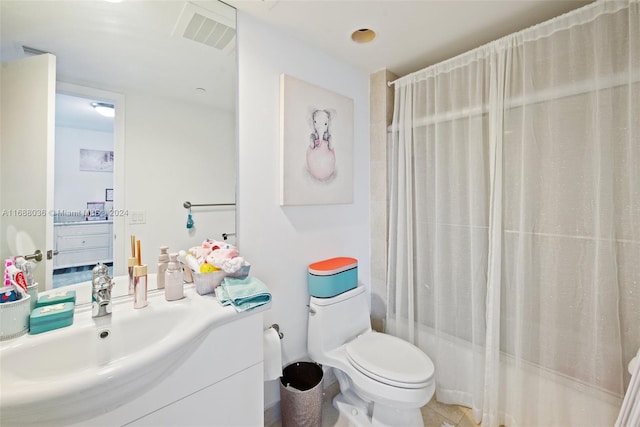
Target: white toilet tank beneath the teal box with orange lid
[[336, 320]]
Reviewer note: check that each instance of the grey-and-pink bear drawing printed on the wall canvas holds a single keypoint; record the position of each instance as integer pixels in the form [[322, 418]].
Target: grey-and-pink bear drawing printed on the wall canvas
[[321, 158]]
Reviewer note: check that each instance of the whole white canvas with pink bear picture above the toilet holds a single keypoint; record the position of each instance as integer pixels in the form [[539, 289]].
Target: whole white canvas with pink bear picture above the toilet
[[316, 145]]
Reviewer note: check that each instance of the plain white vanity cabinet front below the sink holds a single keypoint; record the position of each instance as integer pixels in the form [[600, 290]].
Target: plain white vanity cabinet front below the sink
[[220, 383]]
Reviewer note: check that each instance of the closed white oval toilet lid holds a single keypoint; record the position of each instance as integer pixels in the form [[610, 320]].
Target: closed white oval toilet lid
[[390, 360]]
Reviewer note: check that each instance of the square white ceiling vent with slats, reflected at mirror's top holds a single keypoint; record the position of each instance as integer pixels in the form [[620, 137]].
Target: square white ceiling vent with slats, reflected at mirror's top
[[214, 26]]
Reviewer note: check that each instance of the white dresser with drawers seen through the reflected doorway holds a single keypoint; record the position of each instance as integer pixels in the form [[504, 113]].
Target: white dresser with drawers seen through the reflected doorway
[[83, 243]]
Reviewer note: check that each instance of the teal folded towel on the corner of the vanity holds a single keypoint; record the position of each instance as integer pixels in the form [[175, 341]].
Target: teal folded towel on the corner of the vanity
[[243, 293]]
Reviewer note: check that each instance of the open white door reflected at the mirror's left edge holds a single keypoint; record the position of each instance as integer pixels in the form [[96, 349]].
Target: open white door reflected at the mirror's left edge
[[27, 136]]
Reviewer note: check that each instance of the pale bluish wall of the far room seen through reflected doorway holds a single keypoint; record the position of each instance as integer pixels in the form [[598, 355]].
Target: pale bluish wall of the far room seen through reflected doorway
[[73, 188]]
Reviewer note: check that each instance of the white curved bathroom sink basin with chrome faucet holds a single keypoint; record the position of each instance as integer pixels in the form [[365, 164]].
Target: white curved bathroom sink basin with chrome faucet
[[96, 364]]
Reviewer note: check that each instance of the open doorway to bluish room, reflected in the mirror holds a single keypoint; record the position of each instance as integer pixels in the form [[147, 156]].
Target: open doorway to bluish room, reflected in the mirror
[[84, 187]]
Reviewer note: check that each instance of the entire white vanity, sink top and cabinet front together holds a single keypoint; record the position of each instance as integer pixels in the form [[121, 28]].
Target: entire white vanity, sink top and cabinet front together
[[120, 357]]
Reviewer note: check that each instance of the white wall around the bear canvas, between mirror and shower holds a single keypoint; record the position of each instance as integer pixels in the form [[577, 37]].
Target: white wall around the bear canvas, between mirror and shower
[[279, 241]]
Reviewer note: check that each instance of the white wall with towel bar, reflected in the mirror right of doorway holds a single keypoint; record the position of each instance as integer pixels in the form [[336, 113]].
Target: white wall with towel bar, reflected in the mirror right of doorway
[[176, 152]]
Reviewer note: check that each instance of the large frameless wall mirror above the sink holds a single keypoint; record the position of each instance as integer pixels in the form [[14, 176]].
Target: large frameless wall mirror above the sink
[[169, 70]]
